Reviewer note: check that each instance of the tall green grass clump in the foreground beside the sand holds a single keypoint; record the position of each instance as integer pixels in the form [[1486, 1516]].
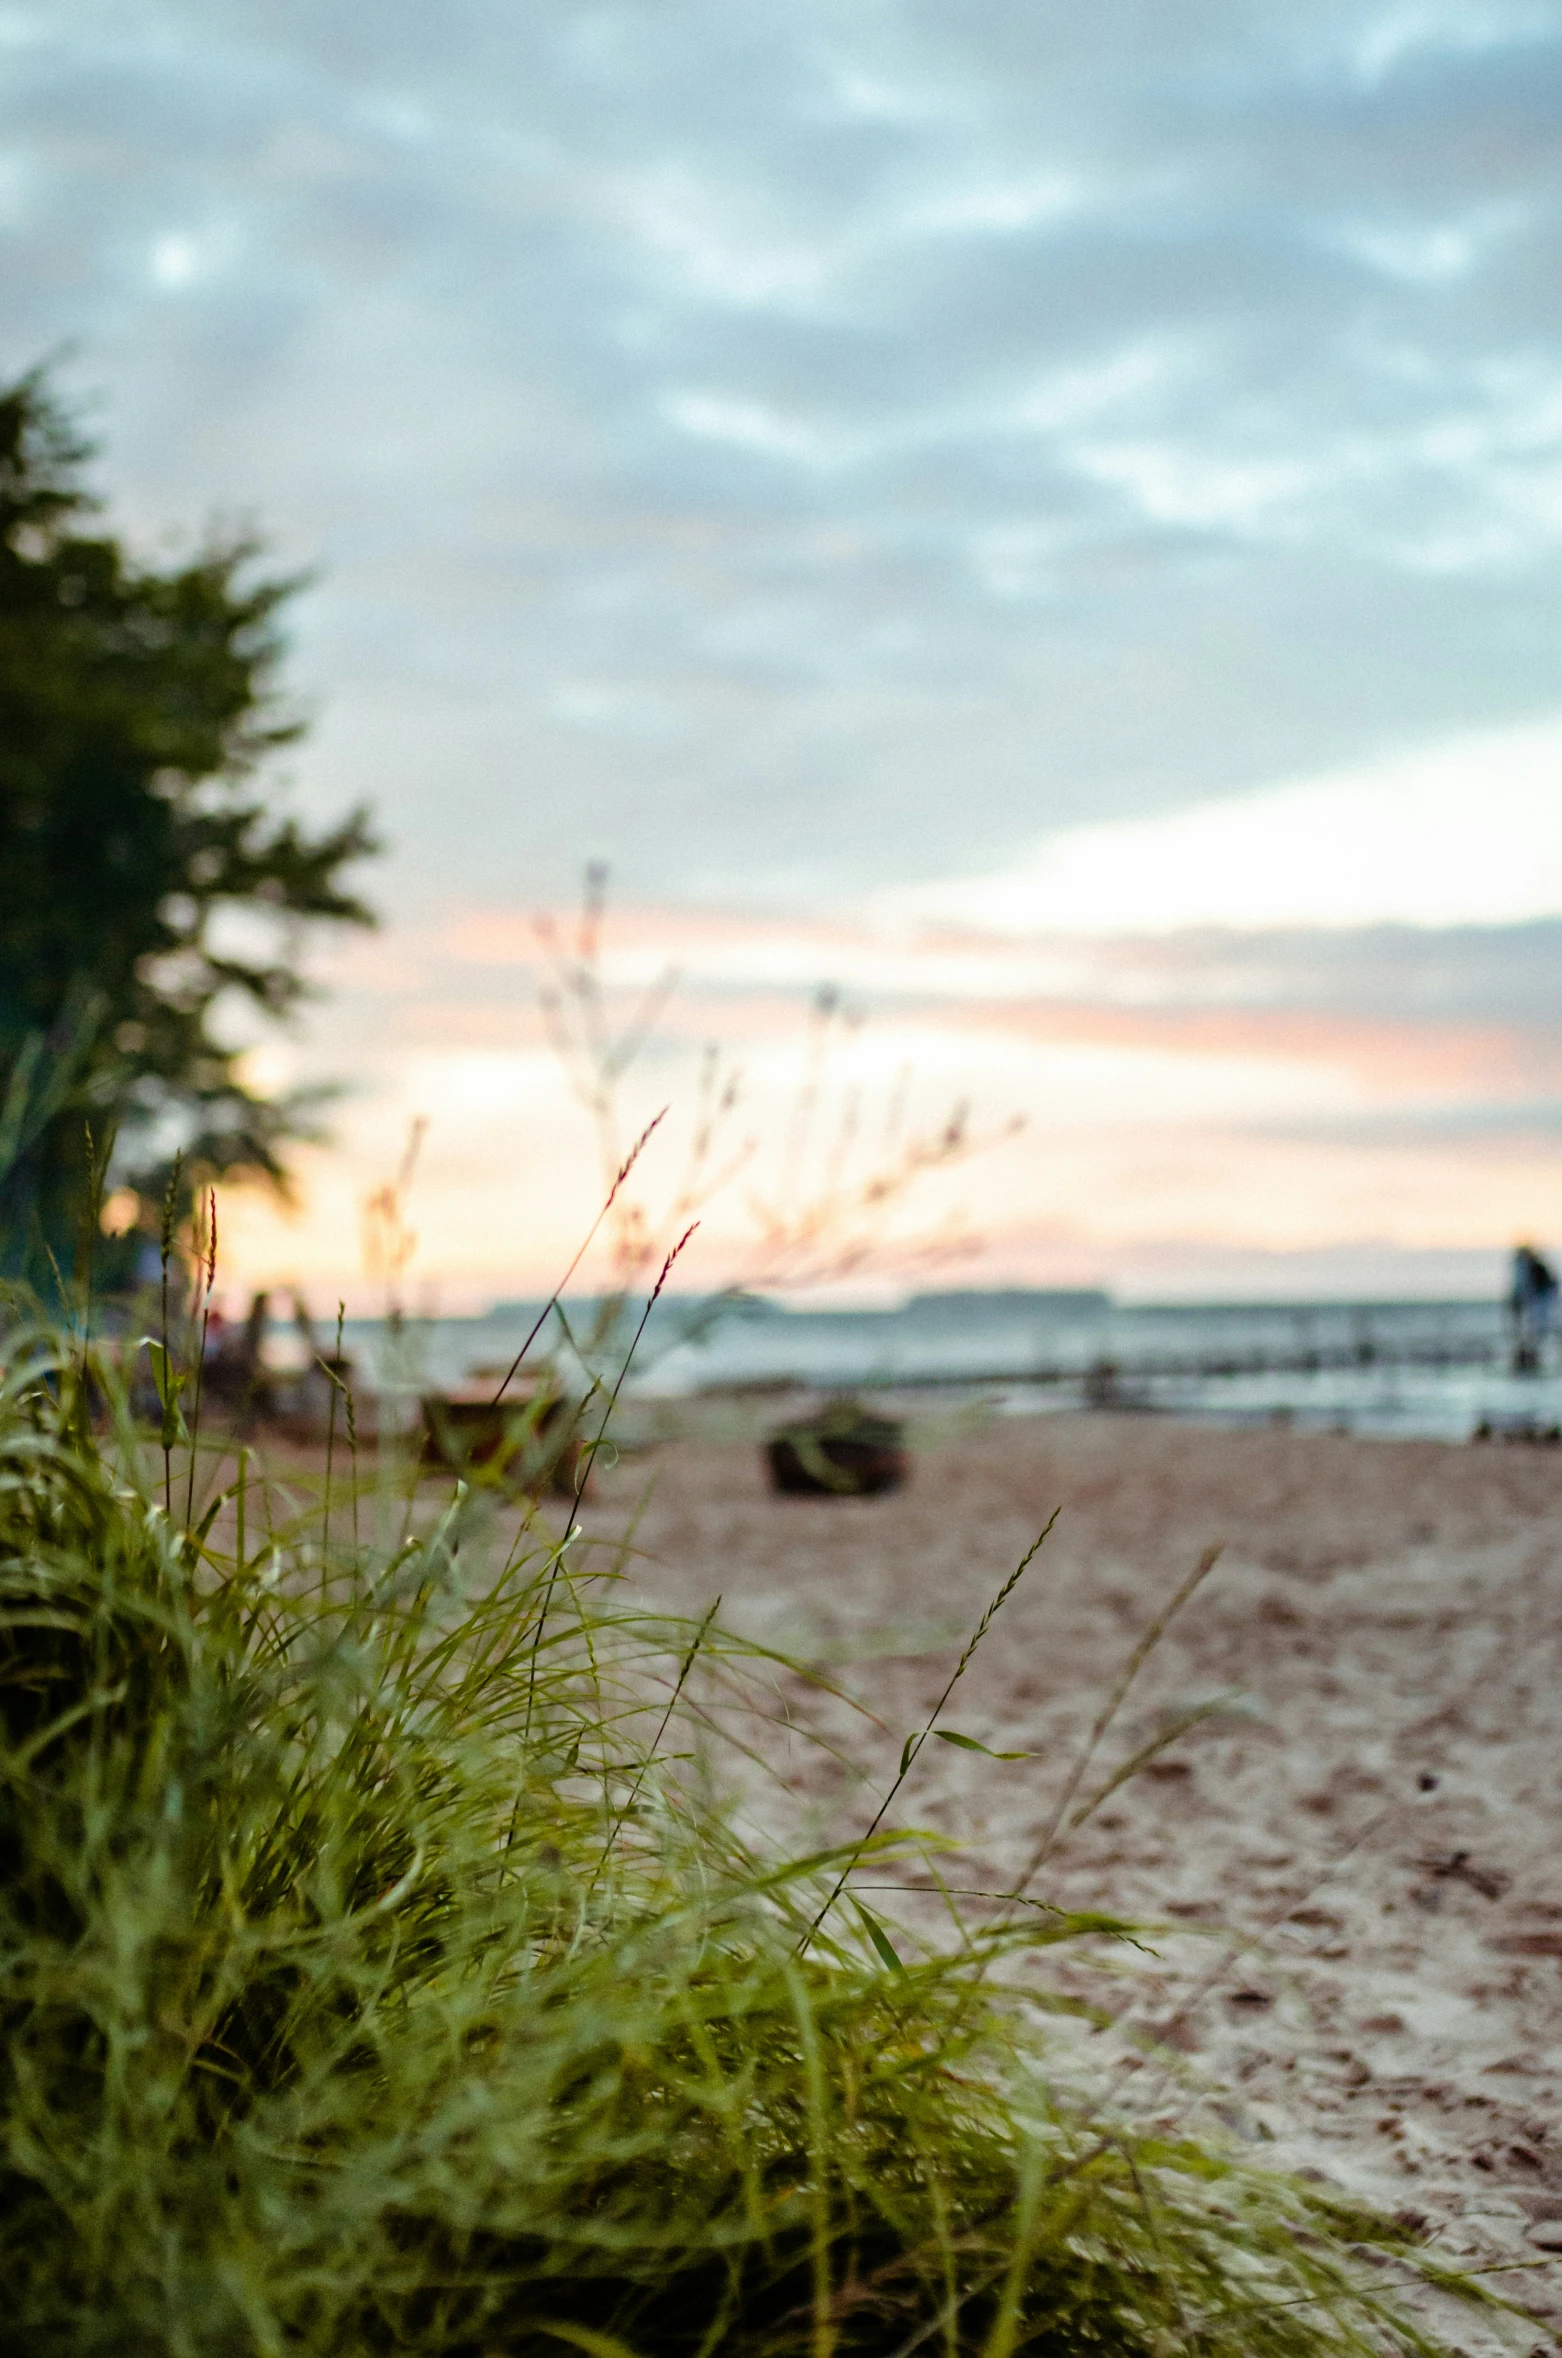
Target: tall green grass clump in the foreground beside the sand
[[381, 1972]]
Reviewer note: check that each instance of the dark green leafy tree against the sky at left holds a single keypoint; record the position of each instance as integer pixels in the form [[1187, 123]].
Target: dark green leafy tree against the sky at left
[[147, 890]]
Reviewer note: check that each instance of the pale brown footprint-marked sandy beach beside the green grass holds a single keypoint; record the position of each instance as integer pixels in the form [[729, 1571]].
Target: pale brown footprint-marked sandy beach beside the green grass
[[1372, 1822]]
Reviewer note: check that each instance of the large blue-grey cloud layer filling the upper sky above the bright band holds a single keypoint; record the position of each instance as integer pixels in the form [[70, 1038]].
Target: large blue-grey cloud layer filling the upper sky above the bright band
[[792, 449]]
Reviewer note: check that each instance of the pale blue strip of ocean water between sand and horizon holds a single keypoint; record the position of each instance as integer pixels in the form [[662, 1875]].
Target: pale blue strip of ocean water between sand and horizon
[[1433, 1369]]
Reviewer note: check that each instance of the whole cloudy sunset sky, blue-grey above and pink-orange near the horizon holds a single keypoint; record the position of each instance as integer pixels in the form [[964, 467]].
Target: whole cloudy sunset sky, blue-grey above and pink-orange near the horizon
[[1044, 522]]
